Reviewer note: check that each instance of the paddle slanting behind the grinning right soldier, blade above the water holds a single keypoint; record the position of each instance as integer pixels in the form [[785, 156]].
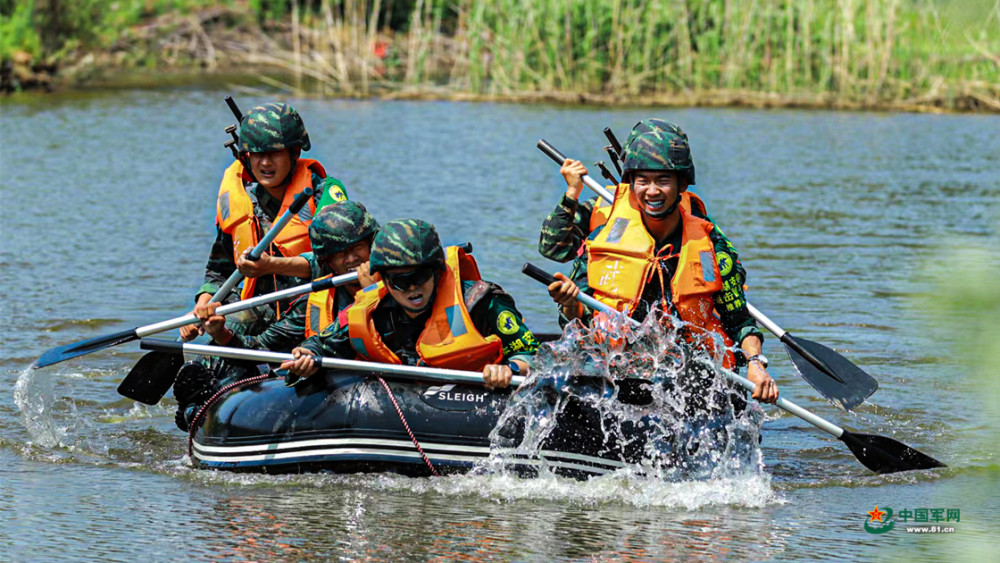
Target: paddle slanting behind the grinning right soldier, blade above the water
[[834, 376]]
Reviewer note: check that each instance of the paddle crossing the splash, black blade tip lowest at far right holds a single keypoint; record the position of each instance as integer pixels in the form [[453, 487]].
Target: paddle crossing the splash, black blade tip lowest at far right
[[878, 453]]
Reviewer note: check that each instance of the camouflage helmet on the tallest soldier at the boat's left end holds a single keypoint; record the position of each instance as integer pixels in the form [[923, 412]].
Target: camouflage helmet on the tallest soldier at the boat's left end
[[272, 127]]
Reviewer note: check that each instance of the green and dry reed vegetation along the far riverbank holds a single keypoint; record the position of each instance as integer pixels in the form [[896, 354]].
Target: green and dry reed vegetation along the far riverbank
[[906, 54]]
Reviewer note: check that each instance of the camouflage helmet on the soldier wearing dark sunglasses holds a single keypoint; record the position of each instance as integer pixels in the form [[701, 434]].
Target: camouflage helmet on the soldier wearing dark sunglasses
[[406, 242]]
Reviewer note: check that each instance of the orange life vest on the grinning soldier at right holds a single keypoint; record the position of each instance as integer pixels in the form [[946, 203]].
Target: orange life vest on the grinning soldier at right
[[622, 260]]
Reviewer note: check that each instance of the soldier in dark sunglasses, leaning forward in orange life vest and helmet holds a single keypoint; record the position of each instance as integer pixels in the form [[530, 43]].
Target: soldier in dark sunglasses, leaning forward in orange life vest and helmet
[[432, 308]]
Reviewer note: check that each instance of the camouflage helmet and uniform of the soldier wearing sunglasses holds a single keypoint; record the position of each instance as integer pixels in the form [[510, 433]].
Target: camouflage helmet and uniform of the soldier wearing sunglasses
[[411, 242]]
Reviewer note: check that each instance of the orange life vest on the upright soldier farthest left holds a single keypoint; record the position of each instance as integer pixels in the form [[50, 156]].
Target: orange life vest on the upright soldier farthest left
[[234, 213]]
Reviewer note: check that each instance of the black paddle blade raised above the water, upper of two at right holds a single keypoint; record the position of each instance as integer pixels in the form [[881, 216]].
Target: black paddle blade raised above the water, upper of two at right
[[833, 375]]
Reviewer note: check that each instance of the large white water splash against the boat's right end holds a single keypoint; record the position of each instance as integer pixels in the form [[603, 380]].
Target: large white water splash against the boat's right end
[[642, 397]]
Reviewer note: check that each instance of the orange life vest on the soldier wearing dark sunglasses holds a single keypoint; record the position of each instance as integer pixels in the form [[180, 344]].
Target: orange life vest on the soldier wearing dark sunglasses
[[449, 340]]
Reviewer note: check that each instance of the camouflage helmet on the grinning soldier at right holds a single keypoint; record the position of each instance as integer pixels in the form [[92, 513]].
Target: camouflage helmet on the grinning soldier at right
[[658, 145]]
